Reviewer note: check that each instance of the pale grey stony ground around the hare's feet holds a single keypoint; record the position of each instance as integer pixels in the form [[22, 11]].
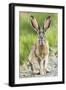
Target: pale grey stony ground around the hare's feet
[[52, 65]]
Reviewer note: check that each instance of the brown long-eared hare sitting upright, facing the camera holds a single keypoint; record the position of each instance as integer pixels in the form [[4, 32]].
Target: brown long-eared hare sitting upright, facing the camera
[[38, 56]]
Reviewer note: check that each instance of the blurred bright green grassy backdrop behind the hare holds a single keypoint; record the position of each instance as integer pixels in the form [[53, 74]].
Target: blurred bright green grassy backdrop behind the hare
[[27, 36]]
